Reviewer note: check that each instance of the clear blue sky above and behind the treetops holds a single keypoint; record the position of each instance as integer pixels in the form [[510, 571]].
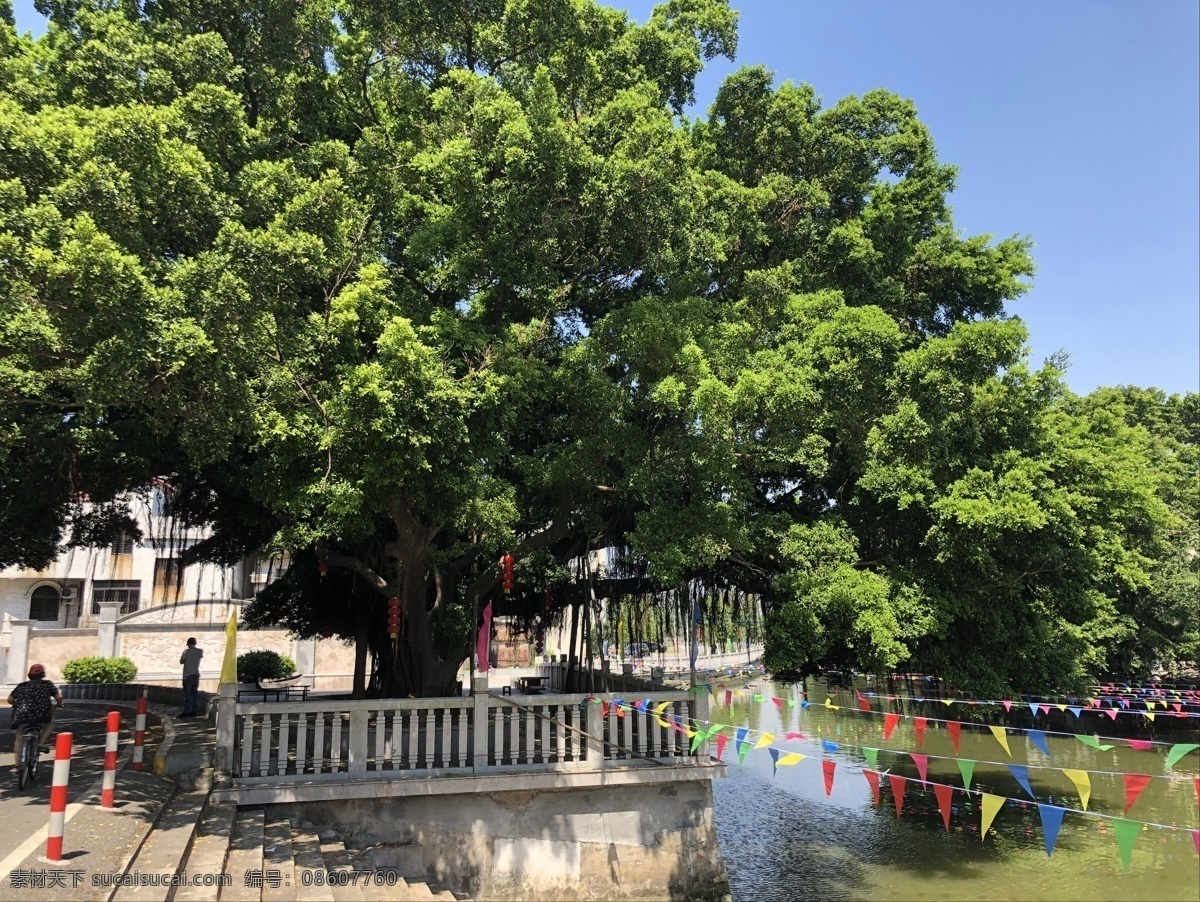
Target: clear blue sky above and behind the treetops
[[1076, 122]]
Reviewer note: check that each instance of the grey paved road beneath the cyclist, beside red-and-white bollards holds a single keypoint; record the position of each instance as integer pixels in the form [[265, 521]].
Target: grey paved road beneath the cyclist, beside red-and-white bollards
[[25, 813]]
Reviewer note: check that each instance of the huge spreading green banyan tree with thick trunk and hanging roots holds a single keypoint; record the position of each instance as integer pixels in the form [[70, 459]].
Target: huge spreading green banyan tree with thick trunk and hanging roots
[[399, 288]]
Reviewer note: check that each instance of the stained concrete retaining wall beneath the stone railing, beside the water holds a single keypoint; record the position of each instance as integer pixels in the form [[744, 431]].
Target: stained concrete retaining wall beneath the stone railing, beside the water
[[616, 843]]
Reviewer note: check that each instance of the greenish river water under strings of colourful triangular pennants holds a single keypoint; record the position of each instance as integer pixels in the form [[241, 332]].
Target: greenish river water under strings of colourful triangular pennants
[[784, 839]]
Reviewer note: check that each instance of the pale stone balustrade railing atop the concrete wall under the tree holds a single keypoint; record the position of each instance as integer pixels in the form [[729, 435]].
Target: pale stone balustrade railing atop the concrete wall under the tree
[[397, 739]]
